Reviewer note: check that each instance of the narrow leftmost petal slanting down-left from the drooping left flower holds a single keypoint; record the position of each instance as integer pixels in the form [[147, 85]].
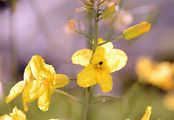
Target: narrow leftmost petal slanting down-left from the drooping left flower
[[15, 91]]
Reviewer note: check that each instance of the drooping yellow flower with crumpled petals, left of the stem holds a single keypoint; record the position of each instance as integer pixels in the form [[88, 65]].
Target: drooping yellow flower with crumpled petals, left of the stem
[[40, 80]]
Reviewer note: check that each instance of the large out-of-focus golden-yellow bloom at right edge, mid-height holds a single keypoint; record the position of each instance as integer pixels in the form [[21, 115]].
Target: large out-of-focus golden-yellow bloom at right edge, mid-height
[[157, 74]]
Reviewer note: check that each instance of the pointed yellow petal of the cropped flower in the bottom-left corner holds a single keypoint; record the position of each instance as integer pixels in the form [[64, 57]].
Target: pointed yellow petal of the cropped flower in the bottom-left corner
[[17, 114]]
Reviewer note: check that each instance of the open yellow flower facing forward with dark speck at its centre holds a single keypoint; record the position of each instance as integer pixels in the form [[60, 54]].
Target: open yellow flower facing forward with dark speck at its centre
[[105, 61]]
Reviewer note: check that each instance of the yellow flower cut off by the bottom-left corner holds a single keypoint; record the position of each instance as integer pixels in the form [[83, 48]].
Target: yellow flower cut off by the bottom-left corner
[[15, 115]]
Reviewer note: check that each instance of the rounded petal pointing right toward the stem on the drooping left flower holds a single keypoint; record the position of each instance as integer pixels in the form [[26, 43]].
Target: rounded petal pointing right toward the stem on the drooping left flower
[[60, 81]]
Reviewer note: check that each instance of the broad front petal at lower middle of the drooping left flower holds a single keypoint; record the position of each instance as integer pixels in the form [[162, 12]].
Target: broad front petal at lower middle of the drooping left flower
[[33, 90]]
